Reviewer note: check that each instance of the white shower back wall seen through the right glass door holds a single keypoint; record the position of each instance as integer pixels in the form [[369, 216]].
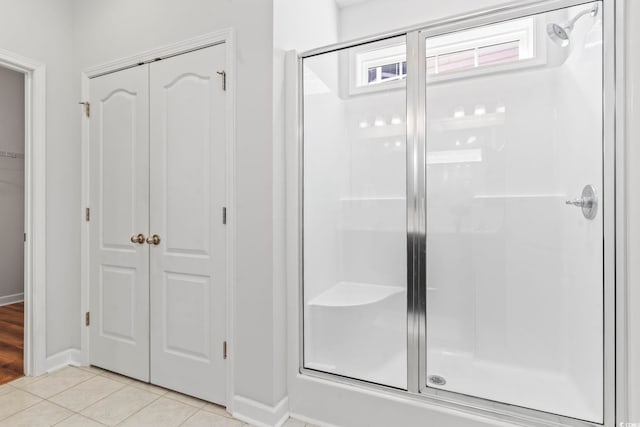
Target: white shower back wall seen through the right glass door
[[482, 248]]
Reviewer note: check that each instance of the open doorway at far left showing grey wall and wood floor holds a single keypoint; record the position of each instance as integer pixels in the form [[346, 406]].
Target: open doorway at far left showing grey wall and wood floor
[[12, 224]]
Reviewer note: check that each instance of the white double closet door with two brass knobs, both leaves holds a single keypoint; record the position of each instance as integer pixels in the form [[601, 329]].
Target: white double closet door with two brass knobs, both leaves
[[157, 150]]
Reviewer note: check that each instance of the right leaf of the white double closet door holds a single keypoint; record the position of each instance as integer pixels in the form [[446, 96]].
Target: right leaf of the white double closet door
[[188, 272]]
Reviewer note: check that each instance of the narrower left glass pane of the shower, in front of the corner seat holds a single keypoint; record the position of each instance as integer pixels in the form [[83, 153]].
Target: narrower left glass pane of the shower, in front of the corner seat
[[355, 321]]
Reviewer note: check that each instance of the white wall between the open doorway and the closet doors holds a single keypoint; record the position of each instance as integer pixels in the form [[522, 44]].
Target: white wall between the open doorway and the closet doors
[[42, 30]]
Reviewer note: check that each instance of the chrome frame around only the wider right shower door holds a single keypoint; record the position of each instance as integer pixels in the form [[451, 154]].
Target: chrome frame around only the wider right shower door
[[608, 211]]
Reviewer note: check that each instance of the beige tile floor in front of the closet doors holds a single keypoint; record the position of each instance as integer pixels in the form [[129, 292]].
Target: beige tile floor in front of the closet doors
[[90, 397]]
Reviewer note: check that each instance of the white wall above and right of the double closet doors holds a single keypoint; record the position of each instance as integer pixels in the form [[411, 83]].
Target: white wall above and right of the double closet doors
[[106, 31]]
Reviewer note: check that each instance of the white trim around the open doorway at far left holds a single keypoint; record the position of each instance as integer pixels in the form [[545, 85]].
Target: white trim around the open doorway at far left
[[35, 352]]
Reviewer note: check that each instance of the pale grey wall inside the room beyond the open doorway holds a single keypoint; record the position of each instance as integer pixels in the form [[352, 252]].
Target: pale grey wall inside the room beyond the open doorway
[[11, 186]]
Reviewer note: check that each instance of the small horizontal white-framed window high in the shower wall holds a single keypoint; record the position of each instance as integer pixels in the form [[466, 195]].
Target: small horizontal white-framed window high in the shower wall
[[505, 46]]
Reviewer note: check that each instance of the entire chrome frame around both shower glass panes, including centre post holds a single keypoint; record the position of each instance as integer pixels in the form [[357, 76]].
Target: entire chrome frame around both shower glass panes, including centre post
[[612, 208]]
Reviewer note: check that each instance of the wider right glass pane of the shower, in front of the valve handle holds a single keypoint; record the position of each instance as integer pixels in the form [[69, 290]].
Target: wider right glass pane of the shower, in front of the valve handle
[[514, 274]]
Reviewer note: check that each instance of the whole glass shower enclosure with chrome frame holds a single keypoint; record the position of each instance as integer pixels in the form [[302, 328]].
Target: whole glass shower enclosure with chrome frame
[[457, 187]]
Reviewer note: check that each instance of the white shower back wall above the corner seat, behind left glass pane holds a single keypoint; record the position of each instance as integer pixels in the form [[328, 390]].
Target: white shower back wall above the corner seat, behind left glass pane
[[374, 203]]
